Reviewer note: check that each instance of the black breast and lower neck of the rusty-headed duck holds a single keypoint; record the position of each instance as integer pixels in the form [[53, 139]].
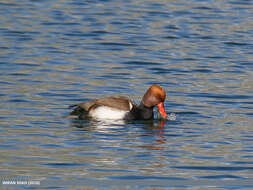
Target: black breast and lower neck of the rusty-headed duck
[[141, 112]]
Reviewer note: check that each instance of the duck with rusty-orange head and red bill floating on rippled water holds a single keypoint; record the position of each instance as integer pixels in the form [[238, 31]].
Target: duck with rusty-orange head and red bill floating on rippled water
[[121, 107]]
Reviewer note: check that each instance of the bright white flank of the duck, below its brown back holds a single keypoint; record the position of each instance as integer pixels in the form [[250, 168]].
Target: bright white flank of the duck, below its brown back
[[104, 112]]
